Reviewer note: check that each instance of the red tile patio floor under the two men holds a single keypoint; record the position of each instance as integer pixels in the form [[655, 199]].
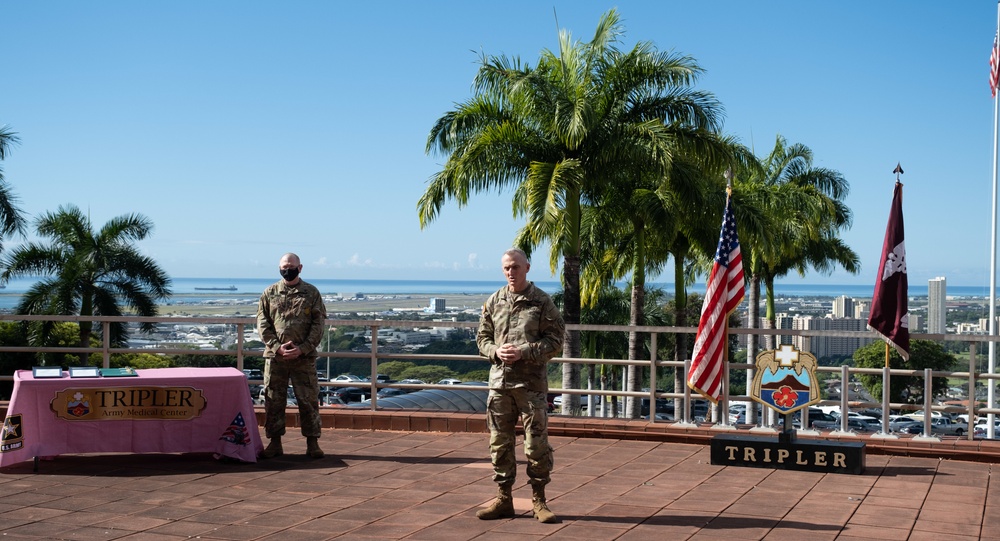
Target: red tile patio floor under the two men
[[425, 485]]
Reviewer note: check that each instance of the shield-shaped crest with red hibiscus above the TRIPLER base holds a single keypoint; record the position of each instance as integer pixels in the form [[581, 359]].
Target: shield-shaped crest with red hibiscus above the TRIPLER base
[[785, 379]]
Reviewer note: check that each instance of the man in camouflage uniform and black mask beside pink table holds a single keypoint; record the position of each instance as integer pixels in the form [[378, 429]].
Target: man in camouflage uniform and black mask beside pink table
[[290, 319]]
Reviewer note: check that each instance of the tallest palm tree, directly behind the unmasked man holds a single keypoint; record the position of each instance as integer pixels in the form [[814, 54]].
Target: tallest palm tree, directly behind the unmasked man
[[558, 133]]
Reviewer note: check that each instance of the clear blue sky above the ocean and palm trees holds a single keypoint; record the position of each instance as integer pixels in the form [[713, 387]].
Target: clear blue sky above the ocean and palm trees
[[247, 129]]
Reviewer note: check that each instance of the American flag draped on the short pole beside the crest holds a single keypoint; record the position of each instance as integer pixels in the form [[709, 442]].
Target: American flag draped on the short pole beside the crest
[[723, 294]]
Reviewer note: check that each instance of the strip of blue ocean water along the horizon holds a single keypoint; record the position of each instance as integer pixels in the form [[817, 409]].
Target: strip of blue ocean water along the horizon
[[193, 290]]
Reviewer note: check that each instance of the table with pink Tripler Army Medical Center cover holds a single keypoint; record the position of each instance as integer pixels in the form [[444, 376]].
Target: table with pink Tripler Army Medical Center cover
[[160, 410]]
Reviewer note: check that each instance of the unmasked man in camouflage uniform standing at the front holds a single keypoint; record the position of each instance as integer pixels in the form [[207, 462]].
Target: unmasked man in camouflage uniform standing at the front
[[520, 331]]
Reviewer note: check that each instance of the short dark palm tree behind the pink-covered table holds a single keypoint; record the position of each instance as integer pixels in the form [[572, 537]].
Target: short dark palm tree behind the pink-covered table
[[88, 273]]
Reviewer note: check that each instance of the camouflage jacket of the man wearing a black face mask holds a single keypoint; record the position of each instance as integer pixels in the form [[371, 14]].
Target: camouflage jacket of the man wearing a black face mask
[[293, 313]]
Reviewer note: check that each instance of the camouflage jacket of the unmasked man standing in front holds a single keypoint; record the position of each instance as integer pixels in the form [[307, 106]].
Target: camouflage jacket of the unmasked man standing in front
[[528, 319]]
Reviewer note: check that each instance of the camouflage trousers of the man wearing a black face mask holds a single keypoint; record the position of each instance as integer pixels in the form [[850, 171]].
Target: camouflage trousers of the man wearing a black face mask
[[301, 375]]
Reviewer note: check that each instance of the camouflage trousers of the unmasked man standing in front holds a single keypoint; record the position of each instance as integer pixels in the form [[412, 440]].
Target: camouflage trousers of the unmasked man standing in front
[[503, 408]]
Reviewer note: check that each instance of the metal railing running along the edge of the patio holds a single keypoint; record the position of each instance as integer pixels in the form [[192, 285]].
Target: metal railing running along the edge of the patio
[[374, 356]]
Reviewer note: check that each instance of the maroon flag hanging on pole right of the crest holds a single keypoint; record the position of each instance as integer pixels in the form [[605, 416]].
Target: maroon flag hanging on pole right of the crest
[[889, 315]]
